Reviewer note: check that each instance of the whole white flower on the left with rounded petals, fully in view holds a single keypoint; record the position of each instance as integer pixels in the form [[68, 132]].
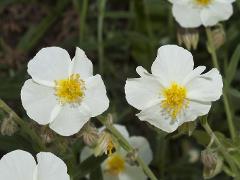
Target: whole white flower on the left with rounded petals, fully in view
[[63, 93]]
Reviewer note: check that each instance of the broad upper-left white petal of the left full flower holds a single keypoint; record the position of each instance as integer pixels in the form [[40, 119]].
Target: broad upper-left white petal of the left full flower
[[50, 64]]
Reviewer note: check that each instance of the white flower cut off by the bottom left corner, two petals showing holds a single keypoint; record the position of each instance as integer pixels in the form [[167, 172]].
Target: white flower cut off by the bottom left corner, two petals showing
[[21, 165]]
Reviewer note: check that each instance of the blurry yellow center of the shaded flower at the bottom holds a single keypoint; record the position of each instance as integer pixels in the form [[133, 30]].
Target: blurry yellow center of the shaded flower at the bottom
[[115, 164]]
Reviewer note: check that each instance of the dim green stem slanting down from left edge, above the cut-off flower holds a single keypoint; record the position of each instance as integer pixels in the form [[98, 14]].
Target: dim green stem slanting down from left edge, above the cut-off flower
[[24, 126]]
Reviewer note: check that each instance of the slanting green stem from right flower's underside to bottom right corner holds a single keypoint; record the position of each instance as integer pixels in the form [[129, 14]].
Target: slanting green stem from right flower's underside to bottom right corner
[[222, 149]]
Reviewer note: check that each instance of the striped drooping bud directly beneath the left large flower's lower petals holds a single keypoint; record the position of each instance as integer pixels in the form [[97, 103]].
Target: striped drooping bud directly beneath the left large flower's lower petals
[[89, 133]]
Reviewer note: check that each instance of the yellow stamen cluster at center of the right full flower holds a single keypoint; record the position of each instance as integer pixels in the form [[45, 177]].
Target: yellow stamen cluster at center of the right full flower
[[175, 99]]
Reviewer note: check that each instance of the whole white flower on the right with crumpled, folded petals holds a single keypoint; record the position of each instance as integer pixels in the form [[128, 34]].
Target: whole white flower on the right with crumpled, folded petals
[[175, 92]]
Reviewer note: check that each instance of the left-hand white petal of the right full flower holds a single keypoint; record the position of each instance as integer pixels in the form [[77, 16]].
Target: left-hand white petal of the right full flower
[[141, 92]]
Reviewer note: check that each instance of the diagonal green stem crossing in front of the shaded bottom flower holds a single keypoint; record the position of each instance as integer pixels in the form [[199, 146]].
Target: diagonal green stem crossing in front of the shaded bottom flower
[[126, 145]]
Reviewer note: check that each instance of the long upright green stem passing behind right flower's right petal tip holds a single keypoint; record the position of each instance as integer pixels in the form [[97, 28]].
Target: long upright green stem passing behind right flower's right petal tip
[[212, 51]]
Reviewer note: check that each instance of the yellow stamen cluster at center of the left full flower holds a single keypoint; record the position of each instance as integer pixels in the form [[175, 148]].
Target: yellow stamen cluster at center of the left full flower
[[70, 90]]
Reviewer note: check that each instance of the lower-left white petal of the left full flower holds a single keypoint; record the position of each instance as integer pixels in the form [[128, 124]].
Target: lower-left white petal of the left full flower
[[38, 101]]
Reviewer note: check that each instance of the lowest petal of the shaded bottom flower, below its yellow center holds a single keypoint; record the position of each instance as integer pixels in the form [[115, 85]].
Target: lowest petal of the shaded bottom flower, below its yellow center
[[132, 173]]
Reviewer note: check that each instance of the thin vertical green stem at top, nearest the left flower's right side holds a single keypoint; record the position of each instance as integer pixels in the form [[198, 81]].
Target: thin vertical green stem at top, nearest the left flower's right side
[[102, 5]]
